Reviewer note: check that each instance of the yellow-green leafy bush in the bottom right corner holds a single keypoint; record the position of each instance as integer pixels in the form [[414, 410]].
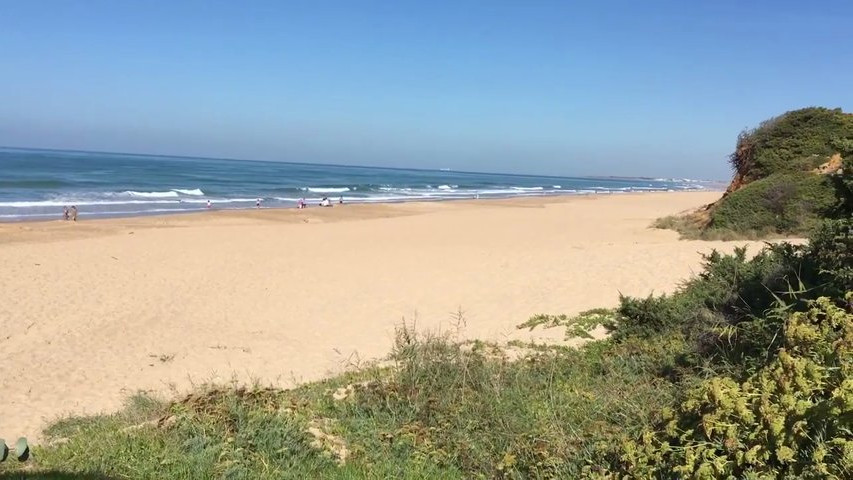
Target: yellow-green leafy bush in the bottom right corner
[[792, 419]]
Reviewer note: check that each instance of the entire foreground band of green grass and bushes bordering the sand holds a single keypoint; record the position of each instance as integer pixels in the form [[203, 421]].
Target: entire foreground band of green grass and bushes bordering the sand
[[745, 372]]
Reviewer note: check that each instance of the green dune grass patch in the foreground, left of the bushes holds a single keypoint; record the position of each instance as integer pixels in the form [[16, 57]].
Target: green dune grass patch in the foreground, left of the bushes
[[443, 410]]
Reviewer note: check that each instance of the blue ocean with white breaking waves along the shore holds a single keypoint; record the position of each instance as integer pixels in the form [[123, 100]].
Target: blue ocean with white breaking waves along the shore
[[37, 184]]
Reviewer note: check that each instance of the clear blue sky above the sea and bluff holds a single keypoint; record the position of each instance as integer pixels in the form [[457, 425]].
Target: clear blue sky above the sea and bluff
[[553, 87]]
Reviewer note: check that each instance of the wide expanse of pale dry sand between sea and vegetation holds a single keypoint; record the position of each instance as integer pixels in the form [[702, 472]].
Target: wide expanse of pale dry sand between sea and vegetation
[[95, 310]]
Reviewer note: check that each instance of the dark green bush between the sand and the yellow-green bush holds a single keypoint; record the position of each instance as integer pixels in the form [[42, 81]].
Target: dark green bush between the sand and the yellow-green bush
[[732, 313]]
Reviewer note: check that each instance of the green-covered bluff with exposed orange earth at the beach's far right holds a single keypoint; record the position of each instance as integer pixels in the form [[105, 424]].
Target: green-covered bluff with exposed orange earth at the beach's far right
[[785, 172]]
